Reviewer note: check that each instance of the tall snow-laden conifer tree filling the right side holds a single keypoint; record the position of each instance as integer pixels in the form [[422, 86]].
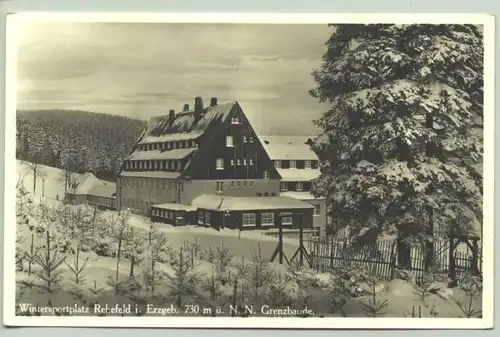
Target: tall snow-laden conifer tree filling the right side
[[397, 148]]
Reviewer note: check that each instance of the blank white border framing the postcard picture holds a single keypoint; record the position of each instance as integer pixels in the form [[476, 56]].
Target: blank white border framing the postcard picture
[[252, 322]]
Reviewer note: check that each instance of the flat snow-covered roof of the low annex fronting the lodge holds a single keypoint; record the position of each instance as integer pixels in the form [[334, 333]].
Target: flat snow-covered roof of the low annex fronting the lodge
[[222, 203]]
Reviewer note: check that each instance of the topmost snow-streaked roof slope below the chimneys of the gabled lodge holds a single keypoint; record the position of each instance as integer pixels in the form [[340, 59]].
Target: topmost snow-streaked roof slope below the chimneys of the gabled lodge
[[184, 125]]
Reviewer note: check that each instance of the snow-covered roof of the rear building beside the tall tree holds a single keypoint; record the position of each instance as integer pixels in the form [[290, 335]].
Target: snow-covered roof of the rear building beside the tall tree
[[288, 147]]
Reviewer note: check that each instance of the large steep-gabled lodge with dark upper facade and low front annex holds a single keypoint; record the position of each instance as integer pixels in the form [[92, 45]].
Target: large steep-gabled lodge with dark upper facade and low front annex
[[206, 166]]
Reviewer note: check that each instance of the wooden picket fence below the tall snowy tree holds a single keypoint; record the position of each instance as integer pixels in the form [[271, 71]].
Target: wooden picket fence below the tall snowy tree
[[381, 259]]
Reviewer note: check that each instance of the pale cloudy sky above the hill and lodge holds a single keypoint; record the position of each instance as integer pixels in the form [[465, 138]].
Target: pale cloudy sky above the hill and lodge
[[142, 70]]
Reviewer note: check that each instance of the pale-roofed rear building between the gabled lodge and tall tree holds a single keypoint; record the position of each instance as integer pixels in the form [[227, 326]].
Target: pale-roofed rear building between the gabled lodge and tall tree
[[297, 165]]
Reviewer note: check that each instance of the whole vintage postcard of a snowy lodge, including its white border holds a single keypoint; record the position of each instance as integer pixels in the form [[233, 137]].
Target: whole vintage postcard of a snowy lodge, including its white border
[[296, 173]]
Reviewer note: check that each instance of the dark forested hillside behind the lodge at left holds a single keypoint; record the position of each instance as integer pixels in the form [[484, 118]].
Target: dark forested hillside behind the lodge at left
[[79, 141]]
